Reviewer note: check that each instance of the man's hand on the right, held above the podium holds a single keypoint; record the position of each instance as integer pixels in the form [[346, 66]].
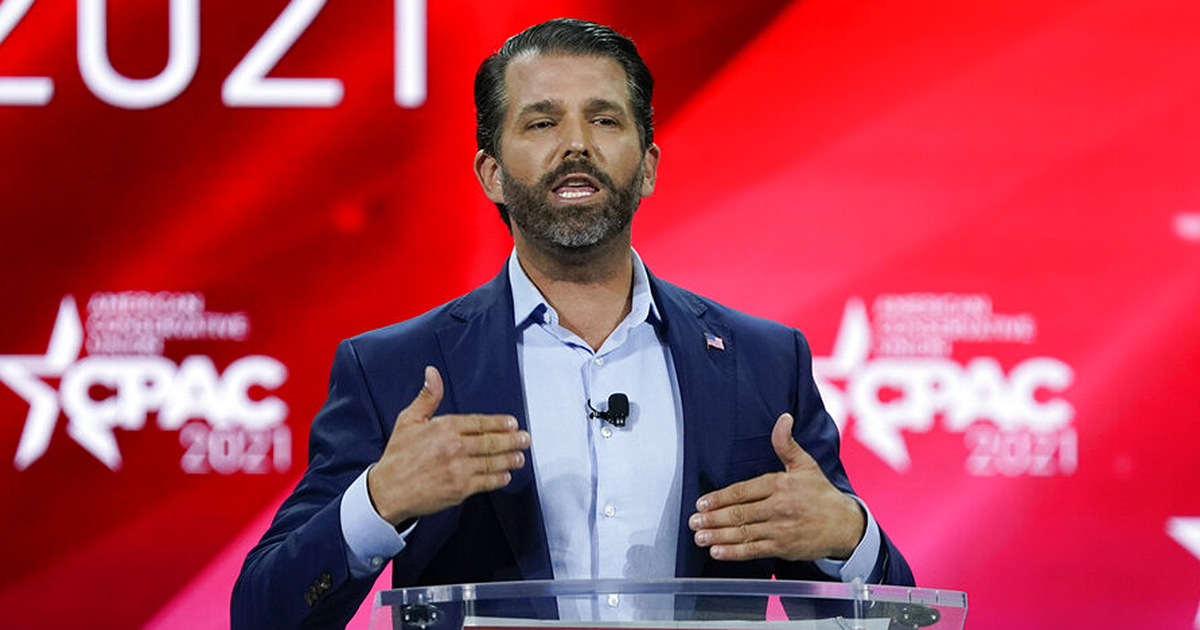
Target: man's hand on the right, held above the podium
[[796, 515]]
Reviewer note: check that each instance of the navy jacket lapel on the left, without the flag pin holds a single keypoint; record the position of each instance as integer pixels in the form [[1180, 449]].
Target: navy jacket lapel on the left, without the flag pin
[[481, 351]]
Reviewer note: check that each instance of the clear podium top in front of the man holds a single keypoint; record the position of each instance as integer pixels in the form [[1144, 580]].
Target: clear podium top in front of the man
[[669, 604]]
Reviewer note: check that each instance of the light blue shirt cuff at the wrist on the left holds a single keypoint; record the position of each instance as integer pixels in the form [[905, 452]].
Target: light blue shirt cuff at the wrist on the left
[[370, 539]]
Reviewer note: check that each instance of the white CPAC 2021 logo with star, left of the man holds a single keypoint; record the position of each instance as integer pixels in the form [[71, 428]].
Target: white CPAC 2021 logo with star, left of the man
[[241, 431]]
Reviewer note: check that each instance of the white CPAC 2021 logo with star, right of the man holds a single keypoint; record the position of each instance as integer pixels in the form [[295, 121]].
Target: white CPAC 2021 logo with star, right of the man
[[897, 376]]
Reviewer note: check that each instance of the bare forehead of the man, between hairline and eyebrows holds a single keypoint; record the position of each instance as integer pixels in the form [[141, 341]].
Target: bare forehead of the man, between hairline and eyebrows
[[569, 80]]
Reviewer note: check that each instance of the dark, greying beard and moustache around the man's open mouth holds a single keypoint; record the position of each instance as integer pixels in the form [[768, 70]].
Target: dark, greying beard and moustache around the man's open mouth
[[578, 226]]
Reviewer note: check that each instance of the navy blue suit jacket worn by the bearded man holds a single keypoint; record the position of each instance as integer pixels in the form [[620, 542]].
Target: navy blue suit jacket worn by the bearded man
[[730, 398]]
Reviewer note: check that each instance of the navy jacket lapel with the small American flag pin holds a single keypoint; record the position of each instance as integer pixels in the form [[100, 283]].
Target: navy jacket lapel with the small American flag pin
[[707, 379]]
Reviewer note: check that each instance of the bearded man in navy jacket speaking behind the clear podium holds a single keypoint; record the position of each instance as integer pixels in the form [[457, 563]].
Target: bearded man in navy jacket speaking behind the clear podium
[[506, 463]]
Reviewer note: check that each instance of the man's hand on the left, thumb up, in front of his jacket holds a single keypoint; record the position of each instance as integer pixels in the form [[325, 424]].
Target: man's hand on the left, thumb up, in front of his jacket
[[431, 464]]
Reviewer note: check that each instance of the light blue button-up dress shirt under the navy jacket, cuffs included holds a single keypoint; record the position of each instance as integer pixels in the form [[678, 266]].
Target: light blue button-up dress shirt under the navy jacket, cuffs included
[[610, 496]]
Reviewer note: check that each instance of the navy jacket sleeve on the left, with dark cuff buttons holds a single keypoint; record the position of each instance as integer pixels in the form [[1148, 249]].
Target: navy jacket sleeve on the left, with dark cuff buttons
[[298, 575]]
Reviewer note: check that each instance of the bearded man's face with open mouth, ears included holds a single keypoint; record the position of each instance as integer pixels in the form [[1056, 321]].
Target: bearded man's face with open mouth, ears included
[[572, 169]]
